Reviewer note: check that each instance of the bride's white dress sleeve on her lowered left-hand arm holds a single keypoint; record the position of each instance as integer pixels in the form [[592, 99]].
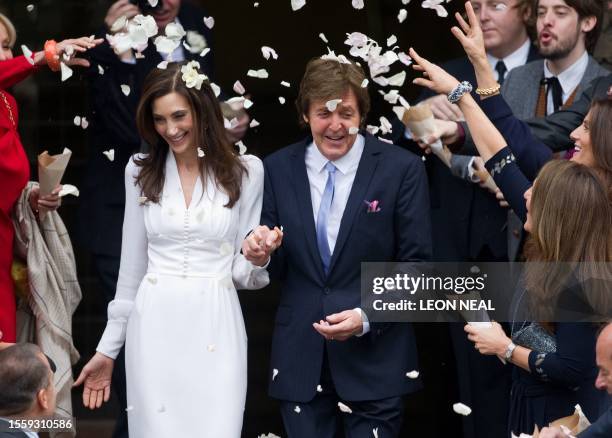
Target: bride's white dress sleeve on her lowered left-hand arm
[[134, 261]]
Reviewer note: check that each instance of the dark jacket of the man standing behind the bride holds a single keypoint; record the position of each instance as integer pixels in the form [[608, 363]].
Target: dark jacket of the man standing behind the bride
[[113, 125]]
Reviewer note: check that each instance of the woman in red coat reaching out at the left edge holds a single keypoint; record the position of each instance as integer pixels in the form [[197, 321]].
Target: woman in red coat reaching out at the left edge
[[14, 165]]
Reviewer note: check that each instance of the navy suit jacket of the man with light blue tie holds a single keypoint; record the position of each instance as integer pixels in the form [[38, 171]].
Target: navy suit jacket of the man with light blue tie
[[373, 366]]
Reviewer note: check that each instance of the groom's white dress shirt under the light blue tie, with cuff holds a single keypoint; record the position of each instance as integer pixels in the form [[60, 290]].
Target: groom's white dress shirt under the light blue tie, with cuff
[[345, 175]]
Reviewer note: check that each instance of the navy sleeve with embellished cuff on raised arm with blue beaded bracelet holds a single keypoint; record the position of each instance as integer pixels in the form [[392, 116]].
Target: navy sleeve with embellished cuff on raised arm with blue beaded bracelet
[[510, 180]]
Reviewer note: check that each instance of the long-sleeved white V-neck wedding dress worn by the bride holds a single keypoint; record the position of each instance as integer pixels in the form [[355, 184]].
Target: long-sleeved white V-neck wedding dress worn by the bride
[[176, 306]]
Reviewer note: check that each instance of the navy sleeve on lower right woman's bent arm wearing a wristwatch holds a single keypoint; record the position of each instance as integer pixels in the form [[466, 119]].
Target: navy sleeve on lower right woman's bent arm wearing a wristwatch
[[573, 359]]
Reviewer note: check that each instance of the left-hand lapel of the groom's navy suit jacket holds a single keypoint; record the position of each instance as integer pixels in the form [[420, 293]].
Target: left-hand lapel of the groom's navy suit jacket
[[304, 202]]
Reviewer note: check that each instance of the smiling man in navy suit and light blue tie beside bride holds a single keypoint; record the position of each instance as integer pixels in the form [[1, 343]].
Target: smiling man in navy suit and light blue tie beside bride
[[342, 198]]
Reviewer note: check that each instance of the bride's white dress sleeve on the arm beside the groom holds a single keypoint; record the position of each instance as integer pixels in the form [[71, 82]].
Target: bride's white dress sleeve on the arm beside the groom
[[245, 274]]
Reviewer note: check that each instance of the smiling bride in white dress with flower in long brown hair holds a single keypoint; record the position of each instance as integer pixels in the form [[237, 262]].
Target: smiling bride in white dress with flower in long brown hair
[[187, 211]]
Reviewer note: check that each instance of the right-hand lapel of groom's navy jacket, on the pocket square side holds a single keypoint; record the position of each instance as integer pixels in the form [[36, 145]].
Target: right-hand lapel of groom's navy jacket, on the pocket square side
[[365, 171]]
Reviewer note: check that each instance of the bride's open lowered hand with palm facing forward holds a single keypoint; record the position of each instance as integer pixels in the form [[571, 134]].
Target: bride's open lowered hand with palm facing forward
[[97, 375]]
